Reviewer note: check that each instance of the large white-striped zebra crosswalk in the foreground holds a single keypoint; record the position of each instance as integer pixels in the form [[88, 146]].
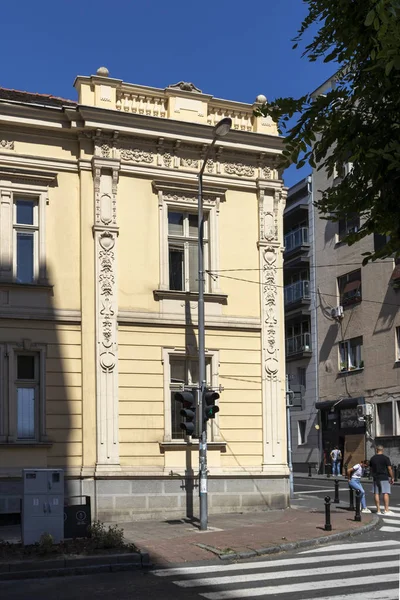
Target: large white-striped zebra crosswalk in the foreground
[[348, 571]]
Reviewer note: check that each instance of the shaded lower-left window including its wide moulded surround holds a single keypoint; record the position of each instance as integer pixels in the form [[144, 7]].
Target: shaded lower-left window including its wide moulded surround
[[22, 394]]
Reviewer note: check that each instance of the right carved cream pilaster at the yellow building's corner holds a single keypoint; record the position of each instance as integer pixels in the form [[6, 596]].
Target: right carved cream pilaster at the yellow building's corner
[[271, 205]]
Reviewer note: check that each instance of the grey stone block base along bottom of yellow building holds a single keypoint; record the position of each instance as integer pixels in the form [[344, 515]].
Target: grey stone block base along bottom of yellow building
[[130, 499]]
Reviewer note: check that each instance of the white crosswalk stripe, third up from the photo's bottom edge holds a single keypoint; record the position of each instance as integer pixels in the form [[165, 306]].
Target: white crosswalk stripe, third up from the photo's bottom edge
[[314, 572]]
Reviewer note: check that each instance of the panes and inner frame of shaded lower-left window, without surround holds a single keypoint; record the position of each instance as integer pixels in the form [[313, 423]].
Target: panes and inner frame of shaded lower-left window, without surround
[[27, 395]]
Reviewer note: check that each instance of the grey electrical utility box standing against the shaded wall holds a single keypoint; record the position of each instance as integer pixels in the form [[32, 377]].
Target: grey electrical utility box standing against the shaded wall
[[42, 505]]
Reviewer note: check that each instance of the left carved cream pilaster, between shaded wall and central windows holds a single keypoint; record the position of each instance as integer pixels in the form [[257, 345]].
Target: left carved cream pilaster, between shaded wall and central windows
[[105, 175]]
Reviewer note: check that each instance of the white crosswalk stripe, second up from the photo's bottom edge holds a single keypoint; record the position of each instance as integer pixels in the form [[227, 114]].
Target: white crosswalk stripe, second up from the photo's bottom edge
[[309, 586]]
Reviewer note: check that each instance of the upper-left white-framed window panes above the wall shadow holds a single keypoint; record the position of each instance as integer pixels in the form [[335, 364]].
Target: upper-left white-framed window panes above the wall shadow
[[26, 239]]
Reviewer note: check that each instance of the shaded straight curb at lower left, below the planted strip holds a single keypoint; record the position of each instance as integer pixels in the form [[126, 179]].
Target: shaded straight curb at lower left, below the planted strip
[[76, 565]]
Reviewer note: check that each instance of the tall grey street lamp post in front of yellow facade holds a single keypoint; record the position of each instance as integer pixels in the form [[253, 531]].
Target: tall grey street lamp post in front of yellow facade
[[220, 130]]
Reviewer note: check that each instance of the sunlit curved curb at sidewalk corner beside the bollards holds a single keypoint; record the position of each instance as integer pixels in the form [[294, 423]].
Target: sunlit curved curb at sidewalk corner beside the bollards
[[292, 545]]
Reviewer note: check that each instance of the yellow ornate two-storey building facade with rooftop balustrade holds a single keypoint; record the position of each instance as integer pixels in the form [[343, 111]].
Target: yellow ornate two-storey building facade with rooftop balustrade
[[98, 297]]
